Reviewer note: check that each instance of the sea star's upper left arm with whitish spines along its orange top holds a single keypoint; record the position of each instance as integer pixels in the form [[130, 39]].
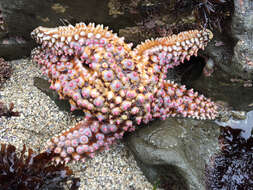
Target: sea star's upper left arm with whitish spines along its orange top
[[80, 41]]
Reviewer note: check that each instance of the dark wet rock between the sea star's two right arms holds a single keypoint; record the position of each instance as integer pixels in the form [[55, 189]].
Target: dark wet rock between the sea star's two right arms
[[220, 86]]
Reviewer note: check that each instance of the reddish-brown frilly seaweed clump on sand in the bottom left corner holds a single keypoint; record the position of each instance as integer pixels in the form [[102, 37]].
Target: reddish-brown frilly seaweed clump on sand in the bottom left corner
[[31, 171]]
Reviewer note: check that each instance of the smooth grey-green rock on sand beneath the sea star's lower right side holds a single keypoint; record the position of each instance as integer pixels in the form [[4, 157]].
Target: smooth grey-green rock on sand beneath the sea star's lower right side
[[174, 152]]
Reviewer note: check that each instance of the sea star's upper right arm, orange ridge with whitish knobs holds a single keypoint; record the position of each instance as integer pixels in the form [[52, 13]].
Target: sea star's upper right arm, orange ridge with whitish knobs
[[170, 51]]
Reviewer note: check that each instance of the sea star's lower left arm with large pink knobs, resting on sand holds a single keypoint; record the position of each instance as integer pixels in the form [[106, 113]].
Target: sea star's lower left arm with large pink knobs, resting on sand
[[83, 140]]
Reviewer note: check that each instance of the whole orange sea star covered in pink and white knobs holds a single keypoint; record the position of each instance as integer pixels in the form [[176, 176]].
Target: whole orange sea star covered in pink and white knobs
[[116, 87]]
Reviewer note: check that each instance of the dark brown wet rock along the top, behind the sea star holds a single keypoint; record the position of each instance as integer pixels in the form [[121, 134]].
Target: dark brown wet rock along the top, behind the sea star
[[138, 20]]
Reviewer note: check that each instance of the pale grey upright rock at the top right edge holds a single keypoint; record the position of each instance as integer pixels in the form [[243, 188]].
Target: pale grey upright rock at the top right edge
[[242, 28]]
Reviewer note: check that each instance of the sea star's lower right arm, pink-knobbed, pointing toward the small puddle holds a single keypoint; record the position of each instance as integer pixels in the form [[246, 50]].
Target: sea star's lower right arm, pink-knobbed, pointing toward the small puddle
[[179, 101]]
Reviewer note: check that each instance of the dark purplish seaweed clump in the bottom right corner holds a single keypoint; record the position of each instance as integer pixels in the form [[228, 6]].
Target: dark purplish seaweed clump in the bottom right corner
[[232, 168]]
